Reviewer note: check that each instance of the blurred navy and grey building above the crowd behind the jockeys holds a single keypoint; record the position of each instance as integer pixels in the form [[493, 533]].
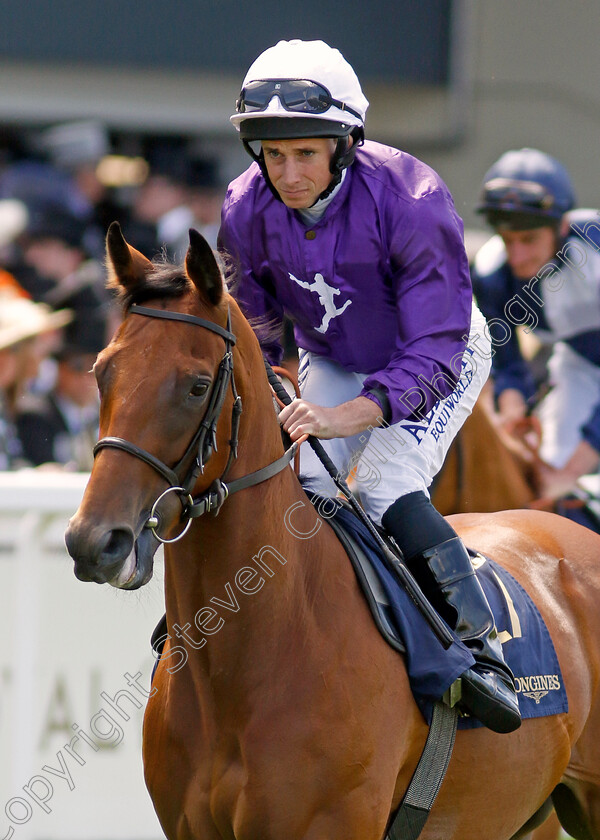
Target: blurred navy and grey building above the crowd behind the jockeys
[[516, 75]]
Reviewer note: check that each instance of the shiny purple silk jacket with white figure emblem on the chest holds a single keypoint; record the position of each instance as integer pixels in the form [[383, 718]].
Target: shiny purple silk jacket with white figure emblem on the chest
[[380, 284]]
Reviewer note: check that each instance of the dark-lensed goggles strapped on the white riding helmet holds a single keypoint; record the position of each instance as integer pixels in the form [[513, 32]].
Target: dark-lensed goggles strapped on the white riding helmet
[[300, 96]]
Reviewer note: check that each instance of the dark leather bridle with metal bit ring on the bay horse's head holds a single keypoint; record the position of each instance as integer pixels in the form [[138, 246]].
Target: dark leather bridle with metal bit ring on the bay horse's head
[[183, 476]]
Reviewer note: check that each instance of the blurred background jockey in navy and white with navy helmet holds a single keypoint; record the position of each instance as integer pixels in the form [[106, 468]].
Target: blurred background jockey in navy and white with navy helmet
[[542, 271]]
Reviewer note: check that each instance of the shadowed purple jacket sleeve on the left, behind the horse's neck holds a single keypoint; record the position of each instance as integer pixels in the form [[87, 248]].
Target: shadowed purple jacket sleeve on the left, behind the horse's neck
[[258, 305]]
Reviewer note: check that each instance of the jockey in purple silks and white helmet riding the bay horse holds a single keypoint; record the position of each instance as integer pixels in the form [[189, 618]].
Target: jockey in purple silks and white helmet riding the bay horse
[[360, 246]]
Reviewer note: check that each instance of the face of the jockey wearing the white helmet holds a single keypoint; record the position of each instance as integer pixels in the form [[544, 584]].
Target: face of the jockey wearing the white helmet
[[299, 169]]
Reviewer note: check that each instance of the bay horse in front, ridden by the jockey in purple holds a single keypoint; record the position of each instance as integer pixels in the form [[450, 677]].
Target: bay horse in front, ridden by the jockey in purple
[[277, 710]]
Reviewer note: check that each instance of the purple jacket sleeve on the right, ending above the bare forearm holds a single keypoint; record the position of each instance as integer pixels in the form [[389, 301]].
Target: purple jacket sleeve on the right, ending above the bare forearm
[[432, 288]]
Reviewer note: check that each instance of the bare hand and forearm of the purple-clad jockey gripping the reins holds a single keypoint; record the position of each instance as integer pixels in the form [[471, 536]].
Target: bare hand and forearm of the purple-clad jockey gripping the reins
[[301, 418]]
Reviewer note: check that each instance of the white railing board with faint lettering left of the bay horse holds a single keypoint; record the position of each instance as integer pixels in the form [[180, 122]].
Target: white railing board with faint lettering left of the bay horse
[[75, 664]]
